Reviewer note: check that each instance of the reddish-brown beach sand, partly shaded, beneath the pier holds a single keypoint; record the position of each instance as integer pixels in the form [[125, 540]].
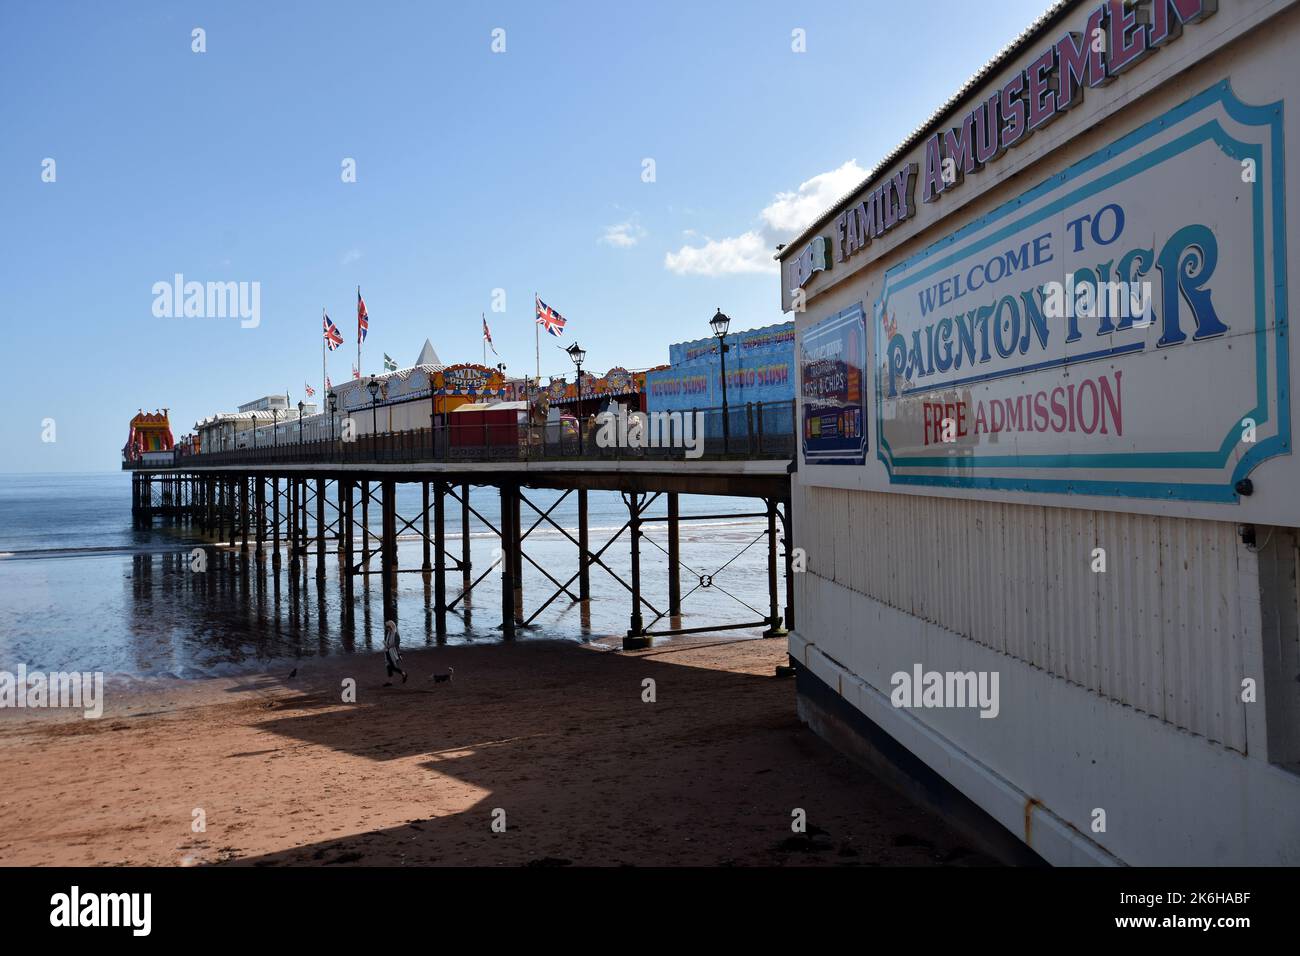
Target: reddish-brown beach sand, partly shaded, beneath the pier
[[553, 734]]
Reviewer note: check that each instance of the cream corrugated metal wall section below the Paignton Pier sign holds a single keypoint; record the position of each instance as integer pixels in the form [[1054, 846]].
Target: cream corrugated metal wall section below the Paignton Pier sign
[[1160, 630]]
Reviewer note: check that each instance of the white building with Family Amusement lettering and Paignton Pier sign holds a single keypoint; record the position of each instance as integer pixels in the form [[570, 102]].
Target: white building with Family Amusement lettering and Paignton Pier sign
[[1098, 507]]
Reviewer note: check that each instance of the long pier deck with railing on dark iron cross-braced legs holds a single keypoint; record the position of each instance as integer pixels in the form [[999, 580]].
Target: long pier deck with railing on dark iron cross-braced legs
[[309, 503]]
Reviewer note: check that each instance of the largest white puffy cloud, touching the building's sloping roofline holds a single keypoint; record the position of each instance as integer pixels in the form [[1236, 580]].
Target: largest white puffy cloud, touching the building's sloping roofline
[[787, 215]]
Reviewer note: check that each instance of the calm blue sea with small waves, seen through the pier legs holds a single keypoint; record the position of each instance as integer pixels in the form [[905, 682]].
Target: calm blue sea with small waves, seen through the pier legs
[[84, 590]]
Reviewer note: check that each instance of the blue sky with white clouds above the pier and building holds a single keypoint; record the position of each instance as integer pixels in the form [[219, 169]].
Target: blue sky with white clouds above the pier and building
[[634, 165]]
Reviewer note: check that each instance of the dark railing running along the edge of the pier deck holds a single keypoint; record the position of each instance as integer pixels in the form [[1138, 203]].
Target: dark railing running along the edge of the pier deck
[[751, 431]]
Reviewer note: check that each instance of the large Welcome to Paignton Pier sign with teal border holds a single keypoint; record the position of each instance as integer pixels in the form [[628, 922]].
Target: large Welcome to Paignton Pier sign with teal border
[[1115, 331]]
